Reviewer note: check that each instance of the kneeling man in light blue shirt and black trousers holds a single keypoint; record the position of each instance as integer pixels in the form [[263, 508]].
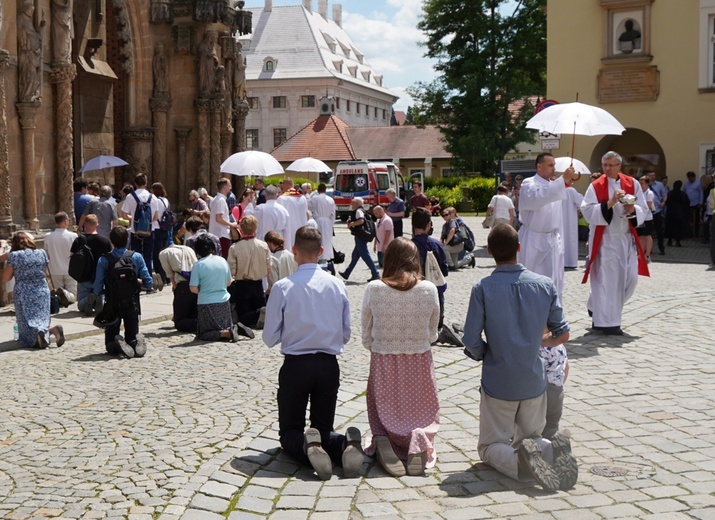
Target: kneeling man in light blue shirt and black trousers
[[308, 313]]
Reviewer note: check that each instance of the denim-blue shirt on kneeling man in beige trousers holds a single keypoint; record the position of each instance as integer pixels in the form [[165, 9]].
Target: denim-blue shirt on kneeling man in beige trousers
[[512, 307]]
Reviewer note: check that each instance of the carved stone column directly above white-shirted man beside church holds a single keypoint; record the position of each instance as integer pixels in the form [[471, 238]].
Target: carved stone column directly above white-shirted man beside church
[[61, 77]]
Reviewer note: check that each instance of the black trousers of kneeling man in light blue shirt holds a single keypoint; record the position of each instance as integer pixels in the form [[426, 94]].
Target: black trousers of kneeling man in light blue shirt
[[314, 378]]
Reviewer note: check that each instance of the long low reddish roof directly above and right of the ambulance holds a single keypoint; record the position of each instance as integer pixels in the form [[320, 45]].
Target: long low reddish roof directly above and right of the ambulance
[[403, 142]]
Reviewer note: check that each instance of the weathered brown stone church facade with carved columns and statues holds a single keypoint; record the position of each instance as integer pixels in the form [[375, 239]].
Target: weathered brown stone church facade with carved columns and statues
[[160, 83]]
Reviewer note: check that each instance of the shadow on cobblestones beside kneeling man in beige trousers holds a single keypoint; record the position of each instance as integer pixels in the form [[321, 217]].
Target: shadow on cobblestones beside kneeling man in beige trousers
[[481, 479]]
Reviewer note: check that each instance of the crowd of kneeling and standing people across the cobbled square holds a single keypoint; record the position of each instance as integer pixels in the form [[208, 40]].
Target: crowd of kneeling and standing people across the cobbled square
[[249, 262]]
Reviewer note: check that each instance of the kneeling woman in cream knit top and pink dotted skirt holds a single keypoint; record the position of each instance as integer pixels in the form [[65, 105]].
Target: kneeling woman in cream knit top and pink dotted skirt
[[400, 313]]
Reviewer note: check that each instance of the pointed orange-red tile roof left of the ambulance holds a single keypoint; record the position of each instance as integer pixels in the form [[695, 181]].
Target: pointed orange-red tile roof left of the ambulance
[[324, 138]]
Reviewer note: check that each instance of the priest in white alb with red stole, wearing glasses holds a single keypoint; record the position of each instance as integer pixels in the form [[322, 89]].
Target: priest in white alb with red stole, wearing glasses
[[613, 206]]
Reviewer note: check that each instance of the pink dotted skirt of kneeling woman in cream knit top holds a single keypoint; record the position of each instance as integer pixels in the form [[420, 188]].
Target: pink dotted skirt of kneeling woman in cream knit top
[[402, 403]]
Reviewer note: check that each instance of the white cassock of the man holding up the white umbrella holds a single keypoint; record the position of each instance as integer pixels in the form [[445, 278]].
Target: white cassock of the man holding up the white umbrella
[[540, 234]]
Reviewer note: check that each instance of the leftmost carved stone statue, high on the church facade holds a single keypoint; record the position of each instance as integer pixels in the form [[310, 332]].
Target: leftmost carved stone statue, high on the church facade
[[29, 59]]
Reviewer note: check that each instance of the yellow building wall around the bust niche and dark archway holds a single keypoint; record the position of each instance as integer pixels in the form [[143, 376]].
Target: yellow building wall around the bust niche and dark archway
[[680, 120]]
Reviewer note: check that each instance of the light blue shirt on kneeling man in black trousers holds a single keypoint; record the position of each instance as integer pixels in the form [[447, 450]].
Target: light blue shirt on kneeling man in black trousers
[[307, 313]]
